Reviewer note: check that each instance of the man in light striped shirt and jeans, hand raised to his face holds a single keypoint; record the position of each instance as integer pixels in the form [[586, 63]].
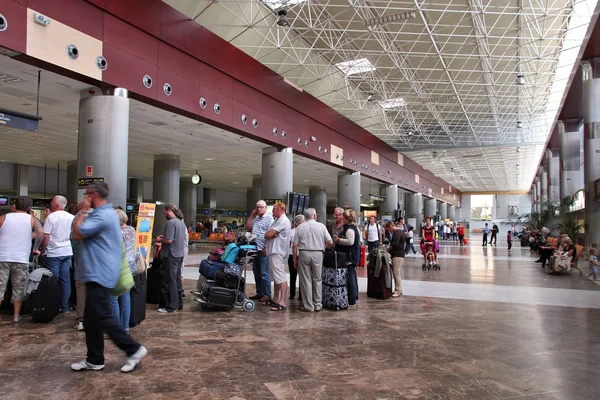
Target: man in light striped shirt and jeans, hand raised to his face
[[259, 223]]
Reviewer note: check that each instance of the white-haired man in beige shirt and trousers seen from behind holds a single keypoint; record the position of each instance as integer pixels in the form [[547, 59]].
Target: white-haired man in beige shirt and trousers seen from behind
[[310, 241]]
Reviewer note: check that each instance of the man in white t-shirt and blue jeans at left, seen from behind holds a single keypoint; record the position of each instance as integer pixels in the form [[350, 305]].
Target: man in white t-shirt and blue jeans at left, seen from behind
[[57, 243]]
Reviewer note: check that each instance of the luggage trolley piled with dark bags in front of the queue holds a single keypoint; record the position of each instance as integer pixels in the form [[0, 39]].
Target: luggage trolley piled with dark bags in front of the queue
[[222, 285]]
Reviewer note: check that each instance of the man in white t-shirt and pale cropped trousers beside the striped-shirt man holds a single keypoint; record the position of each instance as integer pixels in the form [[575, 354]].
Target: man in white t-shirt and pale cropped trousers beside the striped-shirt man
[[278, 249]]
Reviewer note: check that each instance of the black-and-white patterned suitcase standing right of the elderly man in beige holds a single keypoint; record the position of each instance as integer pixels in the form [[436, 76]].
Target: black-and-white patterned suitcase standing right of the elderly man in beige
[[335, 284]]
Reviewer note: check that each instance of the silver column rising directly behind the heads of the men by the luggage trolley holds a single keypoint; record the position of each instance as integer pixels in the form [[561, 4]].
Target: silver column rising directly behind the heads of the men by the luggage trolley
[[277, 173]]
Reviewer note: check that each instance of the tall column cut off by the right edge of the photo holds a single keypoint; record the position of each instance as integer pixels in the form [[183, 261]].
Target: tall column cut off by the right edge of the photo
[[591, 151]]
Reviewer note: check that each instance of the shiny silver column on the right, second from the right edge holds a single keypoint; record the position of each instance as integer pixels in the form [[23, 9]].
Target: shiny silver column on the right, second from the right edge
[[570, 133]]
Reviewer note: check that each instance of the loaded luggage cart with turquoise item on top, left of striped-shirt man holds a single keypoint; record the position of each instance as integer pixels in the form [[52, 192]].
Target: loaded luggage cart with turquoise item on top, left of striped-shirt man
[[226, 291]]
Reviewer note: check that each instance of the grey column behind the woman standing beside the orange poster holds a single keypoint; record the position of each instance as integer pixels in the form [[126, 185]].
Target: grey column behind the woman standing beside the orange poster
[[165, 186]]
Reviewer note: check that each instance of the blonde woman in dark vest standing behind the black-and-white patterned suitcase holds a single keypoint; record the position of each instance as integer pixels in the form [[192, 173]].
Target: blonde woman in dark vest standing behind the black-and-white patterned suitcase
[[349, 242]]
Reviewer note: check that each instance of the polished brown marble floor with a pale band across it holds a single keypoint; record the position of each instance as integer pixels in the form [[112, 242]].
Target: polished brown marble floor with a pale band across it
[[489, 325]]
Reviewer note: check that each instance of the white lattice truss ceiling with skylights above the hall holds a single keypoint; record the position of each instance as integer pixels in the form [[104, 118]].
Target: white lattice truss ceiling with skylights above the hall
[[453, 62]]
